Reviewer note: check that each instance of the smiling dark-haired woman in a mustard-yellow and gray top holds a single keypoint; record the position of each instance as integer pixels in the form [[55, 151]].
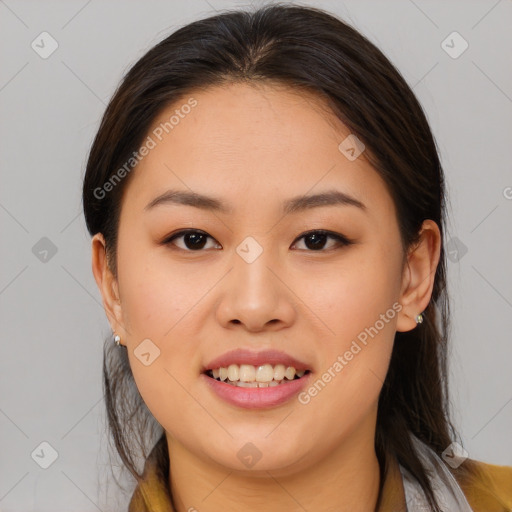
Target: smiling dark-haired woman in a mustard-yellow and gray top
[[267, 210]]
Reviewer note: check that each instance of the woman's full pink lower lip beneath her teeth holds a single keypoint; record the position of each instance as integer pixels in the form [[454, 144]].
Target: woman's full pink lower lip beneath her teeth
[[256, 398]]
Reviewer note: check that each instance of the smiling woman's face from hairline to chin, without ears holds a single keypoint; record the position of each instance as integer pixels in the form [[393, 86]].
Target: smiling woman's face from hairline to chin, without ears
[[317, 281]]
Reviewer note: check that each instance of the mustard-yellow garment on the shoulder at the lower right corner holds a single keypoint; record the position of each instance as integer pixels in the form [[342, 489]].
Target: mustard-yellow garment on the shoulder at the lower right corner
[[487, 487]]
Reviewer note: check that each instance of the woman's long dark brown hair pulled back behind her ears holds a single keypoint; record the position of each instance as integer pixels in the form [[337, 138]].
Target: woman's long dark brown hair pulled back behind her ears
[[307, 49]]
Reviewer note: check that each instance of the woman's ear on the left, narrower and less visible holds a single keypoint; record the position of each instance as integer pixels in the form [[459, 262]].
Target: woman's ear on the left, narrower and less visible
[[107, 284]]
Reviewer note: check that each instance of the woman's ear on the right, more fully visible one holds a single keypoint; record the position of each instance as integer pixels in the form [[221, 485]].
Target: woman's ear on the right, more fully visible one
[[419, 275]]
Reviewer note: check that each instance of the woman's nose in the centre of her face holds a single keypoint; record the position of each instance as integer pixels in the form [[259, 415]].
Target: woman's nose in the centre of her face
[[256, 296]]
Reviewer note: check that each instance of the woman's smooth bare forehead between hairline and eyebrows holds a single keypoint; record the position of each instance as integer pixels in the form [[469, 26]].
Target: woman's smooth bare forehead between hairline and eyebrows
[[259, 141]]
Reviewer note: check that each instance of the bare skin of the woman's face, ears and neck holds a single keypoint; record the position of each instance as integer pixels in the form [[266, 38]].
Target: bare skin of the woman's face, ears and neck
[[312, 304]]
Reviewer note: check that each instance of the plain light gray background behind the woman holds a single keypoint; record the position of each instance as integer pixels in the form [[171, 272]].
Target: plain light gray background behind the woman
[[52, 320]]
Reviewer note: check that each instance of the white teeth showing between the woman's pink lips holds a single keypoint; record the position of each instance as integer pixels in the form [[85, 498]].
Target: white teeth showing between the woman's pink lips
[[247, 375]]
